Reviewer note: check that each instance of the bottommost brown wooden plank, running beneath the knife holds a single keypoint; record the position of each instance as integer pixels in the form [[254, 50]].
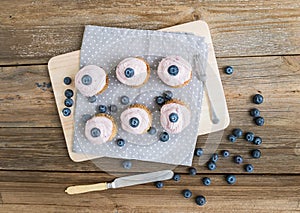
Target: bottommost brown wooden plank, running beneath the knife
[[36, 191]]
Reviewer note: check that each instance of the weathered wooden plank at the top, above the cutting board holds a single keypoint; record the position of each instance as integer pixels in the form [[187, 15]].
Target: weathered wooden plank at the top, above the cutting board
[[33, 32]]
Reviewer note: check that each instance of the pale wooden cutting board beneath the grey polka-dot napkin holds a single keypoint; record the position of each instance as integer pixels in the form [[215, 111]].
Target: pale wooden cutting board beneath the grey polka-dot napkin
[[68, 65]]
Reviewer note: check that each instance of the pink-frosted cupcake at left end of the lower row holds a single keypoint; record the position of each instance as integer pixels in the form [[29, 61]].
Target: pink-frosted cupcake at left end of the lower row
[[100, 129]]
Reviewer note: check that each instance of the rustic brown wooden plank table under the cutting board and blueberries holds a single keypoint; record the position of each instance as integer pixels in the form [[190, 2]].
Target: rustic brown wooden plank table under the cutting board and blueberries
[[260, 39]]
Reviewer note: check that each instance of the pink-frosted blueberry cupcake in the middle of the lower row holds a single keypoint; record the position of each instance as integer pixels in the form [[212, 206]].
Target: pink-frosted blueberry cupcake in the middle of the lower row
[[136, 119]]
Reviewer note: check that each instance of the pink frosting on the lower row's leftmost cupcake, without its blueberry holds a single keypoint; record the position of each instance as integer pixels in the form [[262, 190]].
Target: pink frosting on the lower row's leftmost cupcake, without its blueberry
[[104, 124]]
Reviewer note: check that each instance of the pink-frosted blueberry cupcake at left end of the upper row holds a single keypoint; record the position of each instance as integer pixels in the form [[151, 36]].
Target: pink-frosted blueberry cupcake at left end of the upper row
[[91, 80]]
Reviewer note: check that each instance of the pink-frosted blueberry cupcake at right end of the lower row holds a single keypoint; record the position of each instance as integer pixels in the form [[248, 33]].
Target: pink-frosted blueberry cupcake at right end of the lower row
[[175, 116]]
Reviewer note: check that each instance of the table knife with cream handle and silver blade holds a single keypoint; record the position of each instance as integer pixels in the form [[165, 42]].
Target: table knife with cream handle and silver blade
[[122, 182]]
